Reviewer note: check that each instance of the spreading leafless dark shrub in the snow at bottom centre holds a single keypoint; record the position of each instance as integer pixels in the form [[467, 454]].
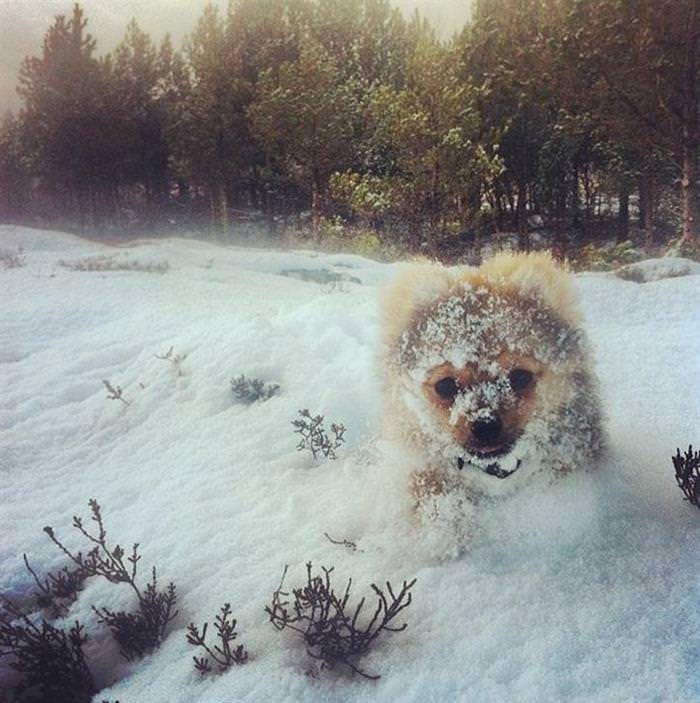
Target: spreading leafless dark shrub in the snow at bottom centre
[[331, 629]]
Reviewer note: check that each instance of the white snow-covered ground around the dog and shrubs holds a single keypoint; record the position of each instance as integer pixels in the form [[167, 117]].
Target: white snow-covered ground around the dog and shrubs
[[589, 591]]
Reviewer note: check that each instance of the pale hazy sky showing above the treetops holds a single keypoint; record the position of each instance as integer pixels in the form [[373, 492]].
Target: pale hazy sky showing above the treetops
[[24, 22]]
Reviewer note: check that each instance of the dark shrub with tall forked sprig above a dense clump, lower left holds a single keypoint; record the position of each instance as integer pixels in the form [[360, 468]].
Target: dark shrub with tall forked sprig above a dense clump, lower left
[[139, 632]]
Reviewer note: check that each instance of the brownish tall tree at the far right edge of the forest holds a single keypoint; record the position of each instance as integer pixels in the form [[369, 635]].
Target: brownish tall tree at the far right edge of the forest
[[643, 59]]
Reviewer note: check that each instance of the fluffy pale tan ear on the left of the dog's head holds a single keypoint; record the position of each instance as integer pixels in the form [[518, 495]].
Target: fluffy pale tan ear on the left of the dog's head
[[416, 286]]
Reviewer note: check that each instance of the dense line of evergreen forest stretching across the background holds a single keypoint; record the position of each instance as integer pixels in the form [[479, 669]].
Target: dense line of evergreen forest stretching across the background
[[577, 115]]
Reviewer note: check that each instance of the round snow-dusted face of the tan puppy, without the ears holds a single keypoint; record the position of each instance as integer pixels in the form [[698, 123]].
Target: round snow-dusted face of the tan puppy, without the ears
[[482, 371]]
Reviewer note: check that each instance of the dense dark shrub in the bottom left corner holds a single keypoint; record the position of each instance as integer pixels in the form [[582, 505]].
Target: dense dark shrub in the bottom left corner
[[50, 661]]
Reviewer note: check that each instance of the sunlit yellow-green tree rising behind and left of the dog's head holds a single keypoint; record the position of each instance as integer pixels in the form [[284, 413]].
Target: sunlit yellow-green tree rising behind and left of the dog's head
[[424, 162]]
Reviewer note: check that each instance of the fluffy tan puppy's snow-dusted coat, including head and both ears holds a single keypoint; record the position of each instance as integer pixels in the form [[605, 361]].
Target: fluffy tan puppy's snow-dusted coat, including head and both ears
[[487, 376]]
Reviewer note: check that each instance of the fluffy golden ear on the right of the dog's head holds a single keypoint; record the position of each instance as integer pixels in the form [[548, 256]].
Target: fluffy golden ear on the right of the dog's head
[[537, 275]]
